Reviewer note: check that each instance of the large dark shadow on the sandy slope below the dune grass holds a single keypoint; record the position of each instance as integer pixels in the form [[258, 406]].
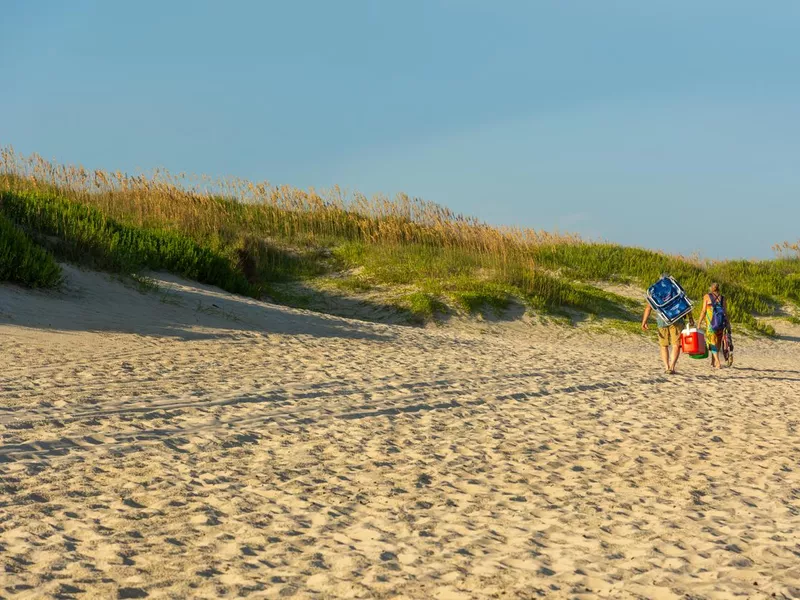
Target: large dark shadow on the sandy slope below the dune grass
[[92, 301]]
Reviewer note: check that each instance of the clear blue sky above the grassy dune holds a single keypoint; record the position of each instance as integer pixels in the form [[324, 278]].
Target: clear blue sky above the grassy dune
[[672, 125]]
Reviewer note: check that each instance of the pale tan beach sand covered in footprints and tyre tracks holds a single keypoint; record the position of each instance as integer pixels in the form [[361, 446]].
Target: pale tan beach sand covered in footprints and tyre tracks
[[186, 443]]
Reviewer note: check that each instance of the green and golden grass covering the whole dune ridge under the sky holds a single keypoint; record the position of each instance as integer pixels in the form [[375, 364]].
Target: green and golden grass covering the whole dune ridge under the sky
[[299, 246]]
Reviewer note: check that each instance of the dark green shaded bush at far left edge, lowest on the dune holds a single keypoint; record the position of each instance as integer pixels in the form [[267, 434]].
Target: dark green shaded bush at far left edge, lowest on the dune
[[22, 261]]
